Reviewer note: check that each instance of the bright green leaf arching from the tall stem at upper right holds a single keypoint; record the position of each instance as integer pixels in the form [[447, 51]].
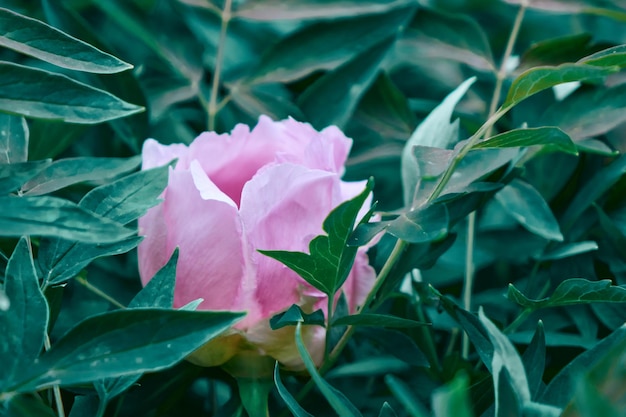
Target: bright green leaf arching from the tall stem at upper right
[[538, 79]]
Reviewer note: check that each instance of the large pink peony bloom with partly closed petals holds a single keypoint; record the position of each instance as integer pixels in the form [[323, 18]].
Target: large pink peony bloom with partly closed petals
[[230, 195]]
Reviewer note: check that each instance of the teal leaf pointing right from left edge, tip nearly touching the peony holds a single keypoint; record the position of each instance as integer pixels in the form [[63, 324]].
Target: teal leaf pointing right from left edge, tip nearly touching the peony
[[51, 216]]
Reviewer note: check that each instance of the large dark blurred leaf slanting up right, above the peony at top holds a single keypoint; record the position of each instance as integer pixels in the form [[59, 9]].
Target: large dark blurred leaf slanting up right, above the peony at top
[[307, 50]]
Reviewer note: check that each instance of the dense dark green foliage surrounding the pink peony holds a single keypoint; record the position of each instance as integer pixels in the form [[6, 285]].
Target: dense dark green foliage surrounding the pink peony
[[525, 296]]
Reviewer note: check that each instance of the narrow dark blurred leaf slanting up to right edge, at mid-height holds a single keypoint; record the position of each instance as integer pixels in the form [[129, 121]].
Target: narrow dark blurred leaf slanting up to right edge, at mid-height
[[595, 187]]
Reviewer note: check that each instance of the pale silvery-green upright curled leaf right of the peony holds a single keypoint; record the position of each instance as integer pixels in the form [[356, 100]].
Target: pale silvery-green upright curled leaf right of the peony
[[435, 131]]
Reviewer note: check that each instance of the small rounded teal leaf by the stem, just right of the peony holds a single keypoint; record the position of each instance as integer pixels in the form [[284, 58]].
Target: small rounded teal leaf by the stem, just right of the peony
[[421, 225]]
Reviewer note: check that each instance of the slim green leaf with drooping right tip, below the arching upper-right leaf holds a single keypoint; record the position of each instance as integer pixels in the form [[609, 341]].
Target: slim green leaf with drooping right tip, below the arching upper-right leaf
[[551, 137]]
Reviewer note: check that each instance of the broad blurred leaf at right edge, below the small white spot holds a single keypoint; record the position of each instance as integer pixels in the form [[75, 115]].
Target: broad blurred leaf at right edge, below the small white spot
[[588, 113]]
